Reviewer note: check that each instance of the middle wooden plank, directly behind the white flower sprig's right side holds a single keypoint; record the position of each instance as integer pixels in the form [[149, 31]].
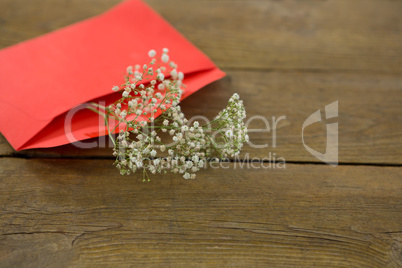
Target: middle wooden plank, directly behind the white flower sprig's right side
[[369, 112]]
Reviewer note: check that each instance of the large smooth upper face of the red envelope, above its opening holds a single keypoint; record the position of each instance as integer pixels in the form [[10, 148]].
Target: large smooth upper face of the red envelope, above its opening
[[49, 75]]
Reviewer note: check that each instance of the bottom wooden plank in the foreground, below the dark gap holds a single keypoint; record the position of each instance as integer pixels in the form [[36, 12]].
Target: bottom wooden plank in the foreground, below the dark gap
[[83, 213]]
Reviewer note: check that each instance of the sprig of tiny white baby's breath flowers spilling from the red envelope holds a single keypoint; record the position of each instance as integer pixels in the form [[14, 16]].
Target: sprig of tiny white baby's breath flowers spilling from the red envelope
[[156, 137]]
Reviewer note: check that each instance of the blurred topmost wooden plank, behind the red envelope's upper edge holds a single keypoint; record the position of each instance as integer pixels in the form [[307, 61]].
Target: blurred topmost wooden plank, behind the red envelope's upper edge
[[333, 35]]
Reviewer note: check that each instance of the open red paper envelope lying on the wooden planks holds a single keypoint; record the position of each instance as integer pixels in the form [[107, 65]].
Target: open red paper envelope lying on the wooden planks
[[44, 78]]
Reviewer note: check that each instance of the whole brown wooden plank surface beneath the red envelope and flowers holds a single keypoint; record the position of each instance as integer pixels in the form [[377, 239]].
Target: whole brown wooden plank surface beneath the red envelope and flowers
[[69, 207]]
